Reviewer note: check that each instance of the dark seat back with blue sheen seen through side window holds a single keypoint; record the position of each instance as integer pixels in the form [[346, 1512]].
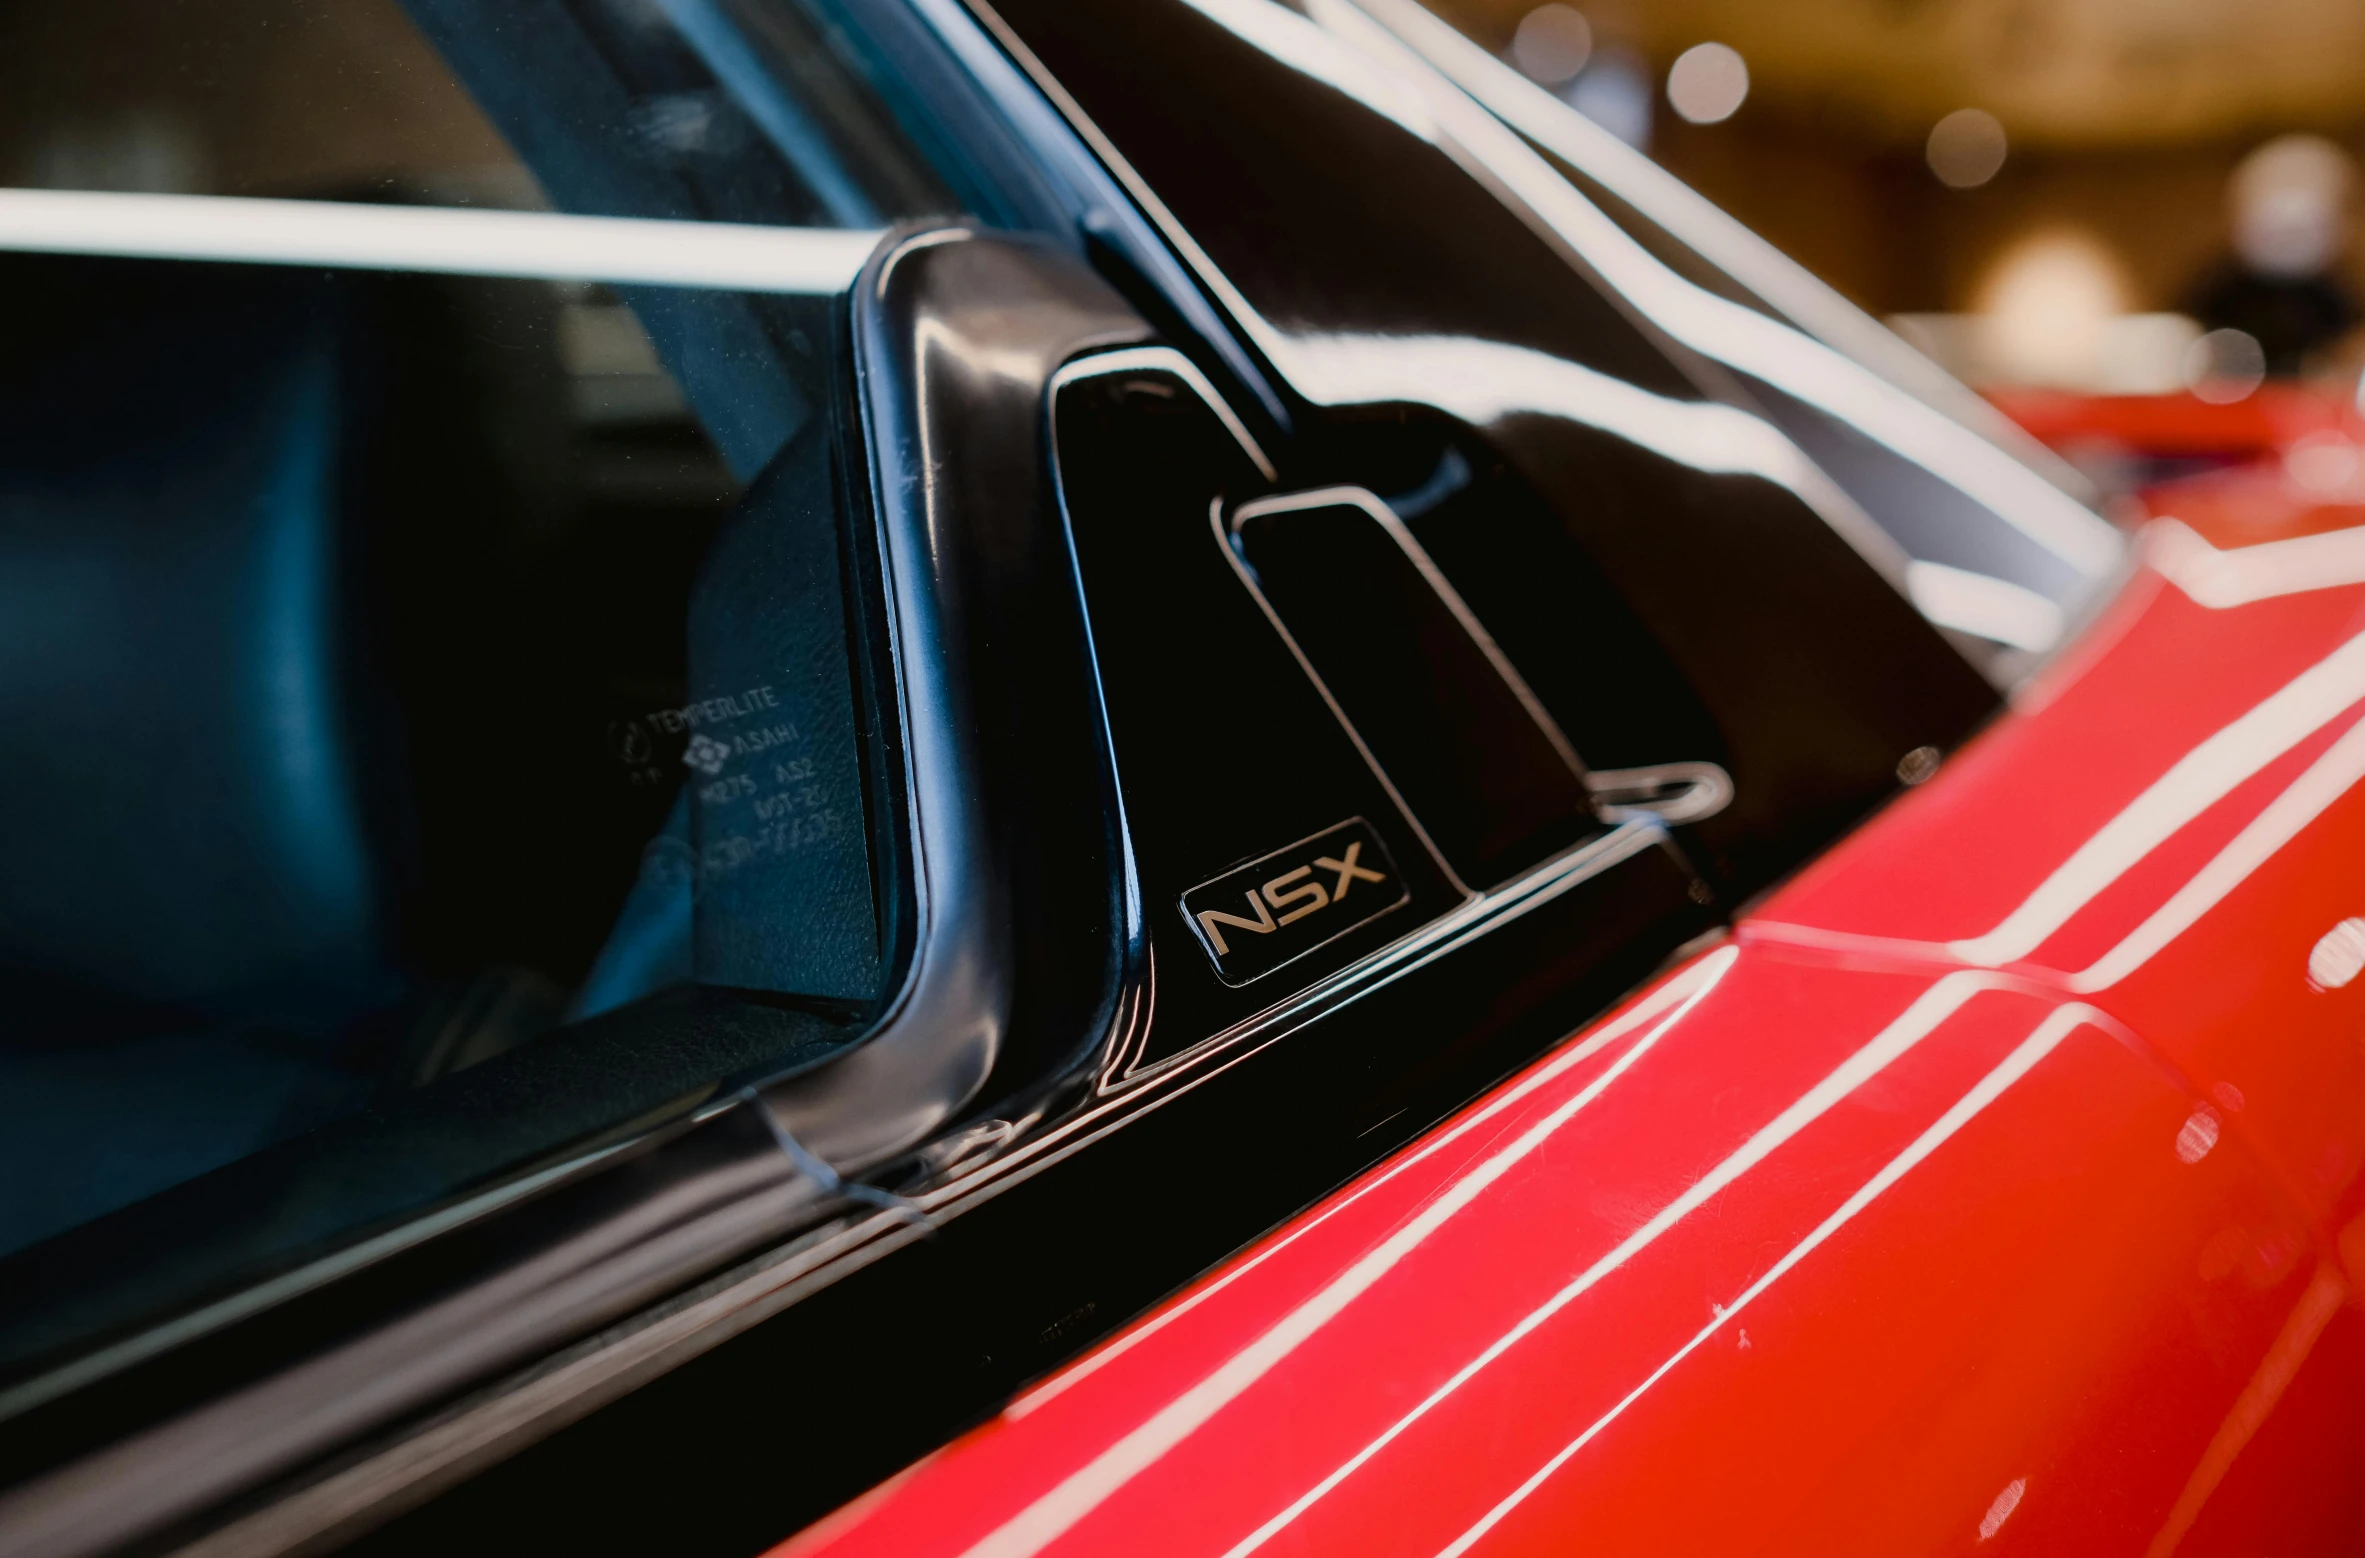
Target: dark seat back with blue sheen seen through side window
[[181, 793]]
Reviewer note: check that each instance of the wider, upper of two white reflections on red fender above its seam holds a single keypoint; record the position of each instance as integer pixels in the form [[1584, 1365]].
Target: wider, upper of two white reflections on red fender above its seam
[[2179, 796]]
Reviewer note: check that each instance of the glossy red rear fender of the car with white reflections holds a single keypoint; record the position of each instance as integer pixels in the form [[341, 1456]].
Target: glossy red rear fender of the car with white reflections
[[1997, 1183]]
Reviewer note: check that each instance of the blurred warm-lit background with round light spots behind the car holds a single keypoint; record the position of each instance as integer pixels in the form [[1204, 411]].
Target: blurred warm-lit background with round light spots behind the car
[[2127, 221]]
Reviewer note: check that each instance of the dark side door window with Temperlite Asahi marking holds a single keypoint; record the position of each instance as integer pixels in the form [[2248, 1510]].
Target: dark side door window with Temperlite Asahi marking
[[413, 677]]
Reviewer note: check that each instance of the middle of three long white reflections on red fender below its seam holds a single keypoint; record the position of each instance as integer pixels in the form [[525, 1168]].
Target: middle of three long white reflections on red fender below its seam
[[1936, 1006]]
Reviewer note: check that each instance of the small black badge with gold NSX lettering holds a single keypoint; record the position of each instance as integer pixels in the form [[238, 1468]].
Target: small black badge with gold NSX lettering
[[1271, 911]]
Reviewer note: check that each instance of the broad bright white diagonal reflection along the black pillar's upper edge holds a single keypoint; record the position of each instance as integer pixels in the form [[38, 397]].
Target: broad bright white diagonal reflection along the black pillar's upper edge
[[1744, 339]]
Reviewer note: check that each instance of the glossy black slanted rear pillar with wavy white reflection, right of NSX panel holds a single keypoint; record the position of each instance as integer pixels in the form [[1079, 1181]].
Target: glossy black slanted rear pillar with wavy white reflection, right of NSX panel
[[1666, 569]]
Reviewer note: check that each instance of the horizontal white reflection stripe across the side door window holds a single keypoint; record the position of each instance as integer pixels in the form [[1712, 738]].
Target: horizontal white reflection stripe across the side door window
[[443, 240]]
